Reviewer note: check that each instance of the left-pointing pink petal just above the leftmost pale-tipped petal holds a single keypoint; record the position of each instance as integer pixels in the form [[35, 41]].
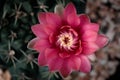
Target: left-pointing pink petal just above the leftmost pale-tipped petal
[[38, 30]]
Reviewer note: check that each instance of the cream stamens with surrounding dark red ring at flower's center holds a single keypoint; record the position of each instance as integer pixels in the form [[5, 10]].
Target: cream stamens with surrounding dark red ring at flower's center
[[66, 40]]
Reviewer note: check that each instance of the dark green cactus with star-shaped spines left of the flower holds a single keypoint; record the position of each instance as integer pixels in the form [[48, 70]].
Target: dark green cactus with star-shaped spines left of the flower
[[16, 18]]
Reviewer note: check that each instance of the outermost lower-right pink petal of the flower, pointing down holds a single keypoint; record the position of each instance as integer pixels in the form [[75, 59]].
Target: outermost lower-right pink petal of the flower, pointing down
[[85, 64]]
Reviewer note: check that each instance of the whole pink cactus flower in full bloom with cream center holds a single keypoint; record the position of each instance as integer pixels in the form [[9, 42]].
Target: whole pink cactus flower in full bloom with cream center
[[65, 41]]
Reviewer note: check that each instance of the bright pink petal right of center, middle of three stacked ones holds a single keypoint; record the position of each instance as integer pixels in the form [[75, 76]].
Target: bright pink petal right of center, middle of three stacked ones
[[89, 35]]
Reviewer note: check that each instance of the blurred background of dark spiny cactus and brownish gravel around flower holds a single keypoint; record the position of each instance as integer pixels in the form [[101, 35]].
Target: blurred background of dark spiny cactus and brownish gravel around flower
[[19, 63]]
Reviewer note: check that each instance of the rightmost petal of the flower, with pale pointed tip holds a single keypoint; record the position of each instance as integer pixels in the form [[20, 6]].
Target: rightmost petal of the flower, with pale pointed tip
[[102, 40]]
